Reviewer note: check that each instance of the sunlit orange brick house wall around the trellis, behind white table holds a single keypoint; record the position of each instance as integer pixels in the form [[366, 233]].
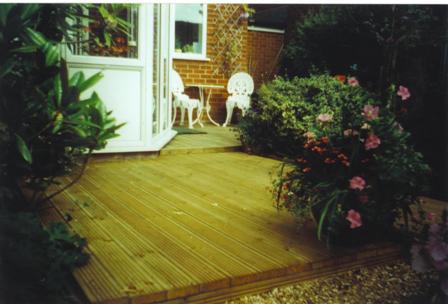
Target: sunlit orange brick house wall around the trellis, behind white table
[[196, 71]]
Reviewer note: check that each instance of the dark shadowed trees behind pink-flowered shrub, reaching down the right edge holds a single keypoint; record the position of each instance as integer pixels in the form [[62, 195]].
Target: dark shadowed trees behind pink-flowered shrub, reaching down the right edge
[[382, 44]]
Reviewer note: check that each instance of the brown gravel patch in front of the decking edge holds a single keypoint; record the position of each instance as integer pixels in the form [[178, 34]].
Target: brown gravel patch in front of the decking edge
[[390, 283]]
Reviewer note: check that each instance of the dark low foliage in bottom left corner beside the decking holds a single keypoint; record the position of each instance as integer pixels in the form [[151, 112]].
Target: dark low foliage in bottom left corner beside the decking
[[37, 263]]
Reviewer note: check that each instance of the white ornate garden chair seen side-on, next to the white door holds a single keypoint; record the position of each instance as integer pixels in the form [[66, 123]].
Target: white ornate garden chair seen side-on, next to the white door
[[182, 101]]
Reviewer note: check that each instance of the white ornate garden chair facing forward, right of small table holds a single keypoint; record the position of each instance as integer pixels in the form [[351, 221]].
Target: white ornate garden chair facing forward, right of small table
[[240, 88]]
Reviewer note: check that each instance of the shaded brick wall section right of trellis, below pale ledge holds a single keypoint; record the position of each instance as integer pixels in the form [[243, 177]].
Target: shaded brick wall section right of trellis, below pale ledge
[[263, 49]]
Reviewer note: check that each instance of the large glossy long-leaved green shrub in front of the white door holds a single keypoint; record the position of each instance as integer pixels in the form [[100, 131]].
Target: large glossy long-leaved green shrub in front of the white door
[[50, 123]]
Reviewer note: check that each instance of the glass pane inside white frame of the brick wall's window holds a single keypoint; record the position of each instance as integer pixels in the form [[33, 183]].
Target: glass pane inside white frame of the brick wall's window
[[189, 26]]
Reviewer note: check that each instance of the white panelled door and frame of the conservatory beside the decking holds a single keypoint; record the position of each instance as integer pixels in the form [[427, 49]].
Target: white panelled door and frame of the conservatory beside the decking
[[135, 85]]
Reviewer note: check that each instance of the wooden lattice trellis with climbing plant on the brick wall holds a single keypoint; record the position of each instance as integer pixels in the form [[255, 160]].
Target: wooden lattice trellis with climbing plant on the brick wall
[[229, 44]]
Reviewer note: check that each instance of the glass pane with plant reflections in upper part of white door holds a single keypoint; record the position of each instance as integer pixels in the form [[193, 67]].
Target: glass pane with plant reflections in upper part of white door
[[111, 32]]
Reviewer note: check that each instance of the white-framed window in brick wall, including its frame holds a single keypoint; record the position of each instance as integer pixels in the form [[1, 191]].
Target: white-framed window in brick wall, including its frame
[[190, 31]]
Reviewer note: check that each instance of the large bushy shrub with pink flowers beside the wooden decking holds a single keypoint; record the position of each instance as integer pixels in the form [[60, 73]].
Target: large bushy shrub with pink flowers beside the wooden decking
[[353, 167]]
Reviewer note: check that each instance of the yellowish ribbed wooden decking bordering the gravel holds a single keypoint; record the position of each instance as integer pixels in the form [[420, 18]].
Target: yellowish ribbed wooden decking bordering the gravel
[[191, 227]]
